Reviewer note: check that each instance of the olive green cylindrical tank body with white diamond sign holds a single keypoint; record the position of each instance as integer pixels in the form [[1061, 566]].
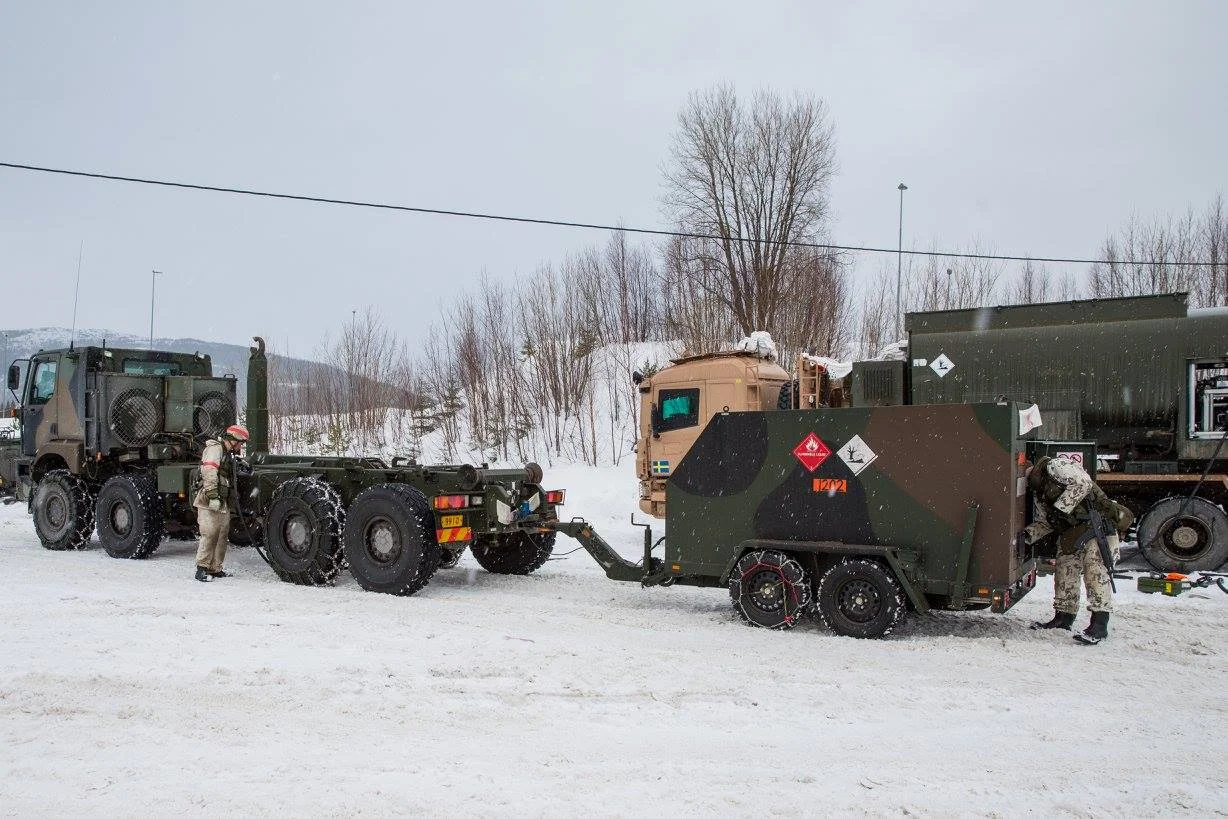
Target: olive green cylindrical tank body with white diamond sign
[[1114, 378]]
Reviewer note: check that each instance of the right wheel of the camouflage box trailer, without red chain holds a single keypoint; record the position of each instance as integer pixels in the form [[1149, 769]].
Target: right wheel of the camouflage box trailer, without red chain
[[861, 599]]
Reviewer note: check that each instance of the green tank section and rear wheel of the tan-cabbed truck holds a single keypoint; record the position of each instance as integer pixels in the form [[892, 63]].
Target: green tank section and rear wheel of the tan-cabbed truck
[[1144, 378]]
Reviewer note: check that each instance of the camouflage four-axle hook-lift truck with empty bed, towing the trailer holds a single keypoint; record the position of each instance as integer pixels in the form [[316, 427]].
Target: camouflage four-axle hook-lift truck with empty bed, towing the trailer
[[112, 440]]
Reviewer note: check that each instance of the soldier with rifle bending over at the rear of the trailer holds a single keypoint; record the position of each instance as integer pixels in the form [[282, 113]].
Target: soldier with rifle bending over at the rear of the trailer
[[1065, 494]]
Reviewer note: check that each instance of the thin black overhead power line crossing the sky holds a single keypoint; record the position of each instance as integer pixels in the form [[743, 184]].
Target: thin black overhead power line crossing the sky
[[559, 223]]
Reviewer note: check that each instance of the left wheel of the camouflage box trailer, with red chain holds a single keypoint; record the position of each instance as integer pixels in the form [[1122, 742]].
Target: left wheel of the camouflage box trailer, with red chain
[[771, 590]]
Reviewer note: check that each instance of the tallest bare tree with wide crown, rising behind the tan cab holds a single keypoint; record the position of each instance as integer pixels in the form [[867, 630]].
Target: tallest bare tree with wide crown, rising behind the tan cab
[[756, 179]]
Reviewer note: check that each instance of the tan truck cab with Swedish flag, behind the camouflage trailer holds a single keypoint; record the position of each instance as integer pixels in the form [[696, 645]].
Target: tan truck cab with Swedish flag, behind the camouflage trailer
[[677, 403]]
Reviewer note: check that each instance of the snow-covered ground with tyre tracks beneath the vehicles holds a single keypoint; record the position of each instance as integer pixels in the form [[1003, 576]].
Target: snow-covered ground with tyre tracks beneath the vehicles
[[127, 688]]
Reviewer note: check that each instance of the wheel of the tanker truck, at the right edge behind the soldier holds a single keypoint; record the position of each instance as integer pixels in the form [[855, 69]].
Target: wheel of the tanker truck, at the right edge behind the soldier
[[1195, 542]]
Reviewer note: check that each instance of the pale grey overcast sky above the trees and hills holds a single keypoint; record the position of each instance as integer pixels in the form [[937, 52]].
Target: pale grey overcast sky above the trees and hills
[[1036, 127]]
